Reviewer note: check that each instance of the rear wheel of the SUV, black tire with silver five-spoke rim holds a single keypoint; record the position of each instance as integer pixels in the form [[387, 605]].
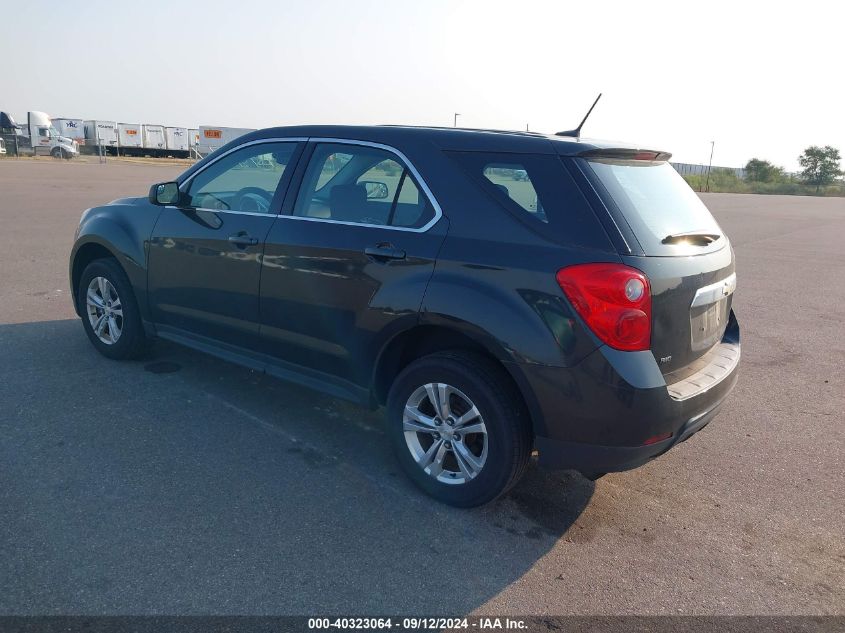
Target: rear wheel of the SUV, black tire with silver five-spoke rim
[[459, 427]]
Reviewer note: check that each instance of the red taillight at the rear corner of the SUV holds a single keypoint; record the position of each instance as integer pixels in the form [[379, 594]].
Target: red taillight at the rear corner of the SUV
[[614, 300]]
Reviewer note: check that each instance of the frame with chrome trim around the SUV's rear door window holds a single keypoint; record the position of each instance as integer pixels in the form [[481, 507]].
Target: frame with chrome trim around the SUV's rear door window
[[296, 183]]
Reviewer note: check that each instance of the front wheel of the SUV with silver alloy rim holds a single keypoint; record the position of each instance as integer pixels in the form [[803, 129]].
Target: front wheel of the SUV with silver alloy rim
[[110, 312]]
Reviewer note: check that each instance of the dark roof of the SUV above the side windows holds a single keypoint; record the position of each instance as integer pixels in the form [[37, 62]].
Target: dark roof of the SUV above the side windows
[[449, 138]]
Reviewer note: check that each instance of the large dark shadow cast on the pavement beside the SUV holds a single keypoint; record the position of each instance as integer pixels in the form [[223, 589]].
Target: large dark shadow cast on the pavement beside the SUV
[[184, 484]]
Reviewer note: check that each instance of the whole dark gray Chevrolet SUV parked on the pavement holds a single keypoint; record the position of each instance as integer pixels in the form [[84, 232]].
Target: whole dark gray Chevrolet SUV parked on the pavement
[[501, 293]]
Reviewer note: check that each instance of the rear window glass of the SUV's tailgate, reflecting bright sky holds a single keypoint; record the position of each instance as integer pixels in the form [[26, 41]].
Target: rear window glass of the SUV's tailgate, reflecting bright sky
[[657, 203]]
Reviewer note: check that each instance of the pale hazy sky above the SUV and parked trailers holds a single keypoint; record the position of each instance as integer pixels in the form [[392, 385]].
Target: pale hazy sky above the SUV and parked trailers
[[760, 79]]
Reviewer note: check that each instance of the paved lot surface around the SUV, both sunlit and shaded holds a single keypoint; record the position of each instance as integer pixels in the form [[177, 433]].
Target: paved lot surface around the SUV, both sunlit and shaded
[[181, 484]]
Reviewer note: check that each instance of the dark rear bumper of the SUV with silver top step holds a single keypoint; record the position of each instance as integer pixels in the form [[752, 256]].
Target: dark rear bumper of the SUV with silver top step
[[614, 411]]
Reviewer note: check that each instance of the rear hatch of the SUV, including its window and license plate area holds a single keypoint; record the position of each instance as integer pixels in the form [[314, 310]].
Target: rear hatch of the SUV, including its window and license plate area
[[668, 233]]
